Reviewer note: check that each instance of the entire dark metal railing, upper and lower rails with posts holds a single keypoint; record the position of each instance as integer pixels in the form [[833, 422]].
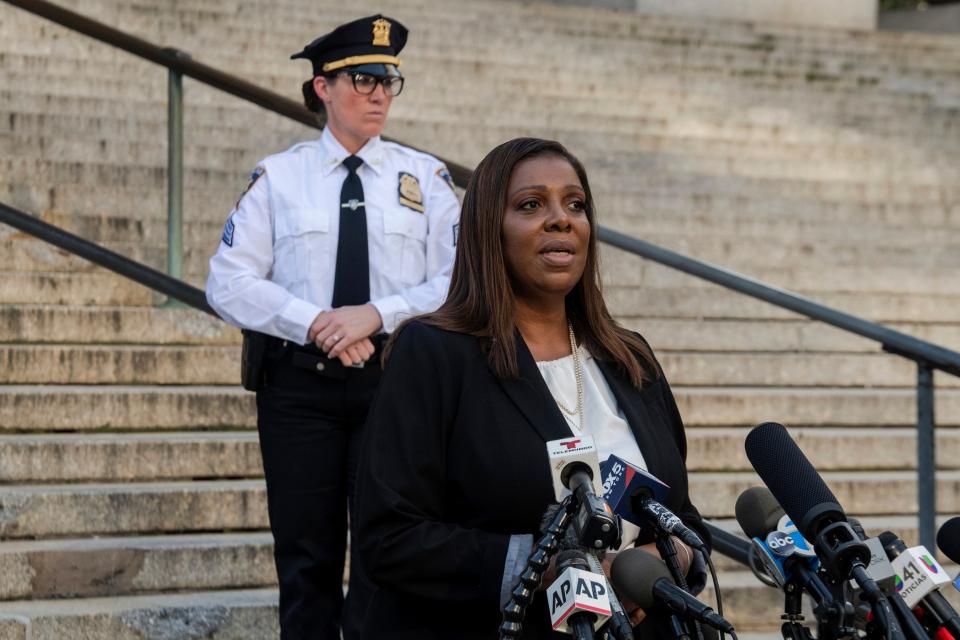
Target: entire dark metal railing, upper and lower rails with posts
[[929, 357]]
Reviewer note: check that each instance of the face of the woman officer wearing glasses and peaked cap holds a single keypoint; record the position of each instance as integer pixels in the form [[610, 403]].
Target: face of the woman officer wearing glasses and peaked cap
[[354, 117]]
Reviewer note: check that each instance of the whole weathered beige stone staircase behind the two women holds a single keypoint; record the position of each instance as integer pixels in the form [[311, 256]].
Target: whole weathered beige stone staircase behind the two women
[[823, 161]]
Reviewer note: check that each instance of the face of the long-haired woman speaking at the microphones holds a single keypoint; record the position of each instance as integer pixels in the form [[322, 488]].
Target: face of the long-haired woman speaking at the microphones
[[546, 233]]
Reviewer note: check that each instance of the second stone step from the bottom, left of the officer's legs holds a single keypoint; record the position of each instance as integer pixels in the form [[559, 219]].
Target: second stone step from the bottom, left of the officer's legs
[[101, 567]]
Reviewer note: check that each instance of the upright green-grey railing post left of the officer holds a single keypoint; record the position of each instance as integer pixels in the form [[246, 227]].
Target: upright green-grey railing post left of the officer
[[175, 172]]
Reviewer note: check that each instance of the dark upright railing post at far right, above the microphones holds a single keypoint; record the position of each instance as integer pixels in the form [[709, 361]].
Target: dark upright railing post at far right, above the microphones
[[926, 456]]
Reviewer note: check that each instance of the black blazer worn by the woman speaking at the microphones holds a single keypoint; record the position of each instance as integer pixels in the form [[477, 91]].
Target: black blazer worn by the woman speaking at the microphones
[[454, 462]]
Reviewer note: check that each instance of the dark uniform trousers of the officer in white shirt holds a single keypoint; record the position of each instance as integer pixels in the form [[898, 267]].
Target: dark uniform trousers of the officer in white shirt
[[310, 423]]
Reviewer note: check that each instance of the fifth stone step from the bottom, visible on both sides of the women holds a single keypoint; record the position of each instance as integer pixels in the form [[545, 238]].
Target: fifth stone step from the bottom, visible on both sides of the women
[[118, 408]]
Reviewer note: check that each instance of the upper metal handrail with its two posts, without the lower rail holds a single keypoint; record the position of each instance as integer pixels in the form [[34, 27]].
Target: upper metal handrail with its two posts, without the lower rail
[[928, 356]]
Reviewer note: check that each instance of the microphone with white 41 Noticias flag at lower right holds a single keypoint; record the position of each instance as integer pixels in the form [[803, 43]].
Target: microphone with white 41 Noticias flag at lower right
[[919, 577]]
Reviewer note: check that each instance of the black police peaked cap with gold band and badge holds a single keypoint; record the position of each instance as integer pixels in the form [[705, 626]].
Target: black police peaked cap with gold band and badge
[[372, 43]]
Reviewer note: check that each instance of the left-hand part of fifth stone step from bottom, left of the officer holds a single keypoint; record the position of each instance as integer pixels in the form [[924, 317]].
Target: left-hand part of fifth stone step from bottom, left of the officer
[[118, 408]]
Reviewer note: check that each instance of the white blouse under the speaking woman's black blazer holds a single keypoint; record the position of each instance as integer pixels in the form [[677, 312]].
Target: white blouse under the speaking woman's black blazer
[[602, 418]]
